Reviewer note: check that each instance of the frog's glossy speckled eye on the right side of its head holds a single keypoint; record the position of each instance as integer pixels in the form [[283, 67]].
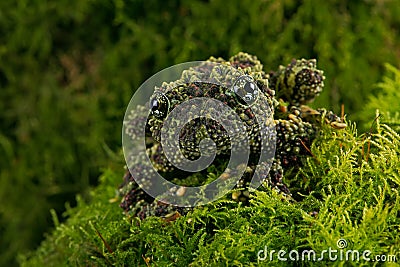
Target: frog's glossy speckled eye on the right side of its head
[[246, 90]]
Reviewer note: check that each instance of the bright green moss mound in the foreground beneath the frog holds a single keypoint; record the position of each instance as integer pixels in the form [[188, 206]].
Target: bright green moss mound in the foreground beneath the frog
[[345, 196]]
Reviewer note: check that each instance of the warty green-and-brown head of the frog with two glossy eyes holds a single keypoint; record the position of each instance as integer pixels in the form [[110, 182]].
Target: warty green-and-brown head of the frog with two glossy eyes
[[239, 84]]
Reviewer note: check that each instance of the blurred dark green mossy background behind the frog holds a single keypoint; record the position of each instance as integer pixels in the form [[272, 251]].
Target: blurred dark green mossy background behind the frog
[[69, 68]]
